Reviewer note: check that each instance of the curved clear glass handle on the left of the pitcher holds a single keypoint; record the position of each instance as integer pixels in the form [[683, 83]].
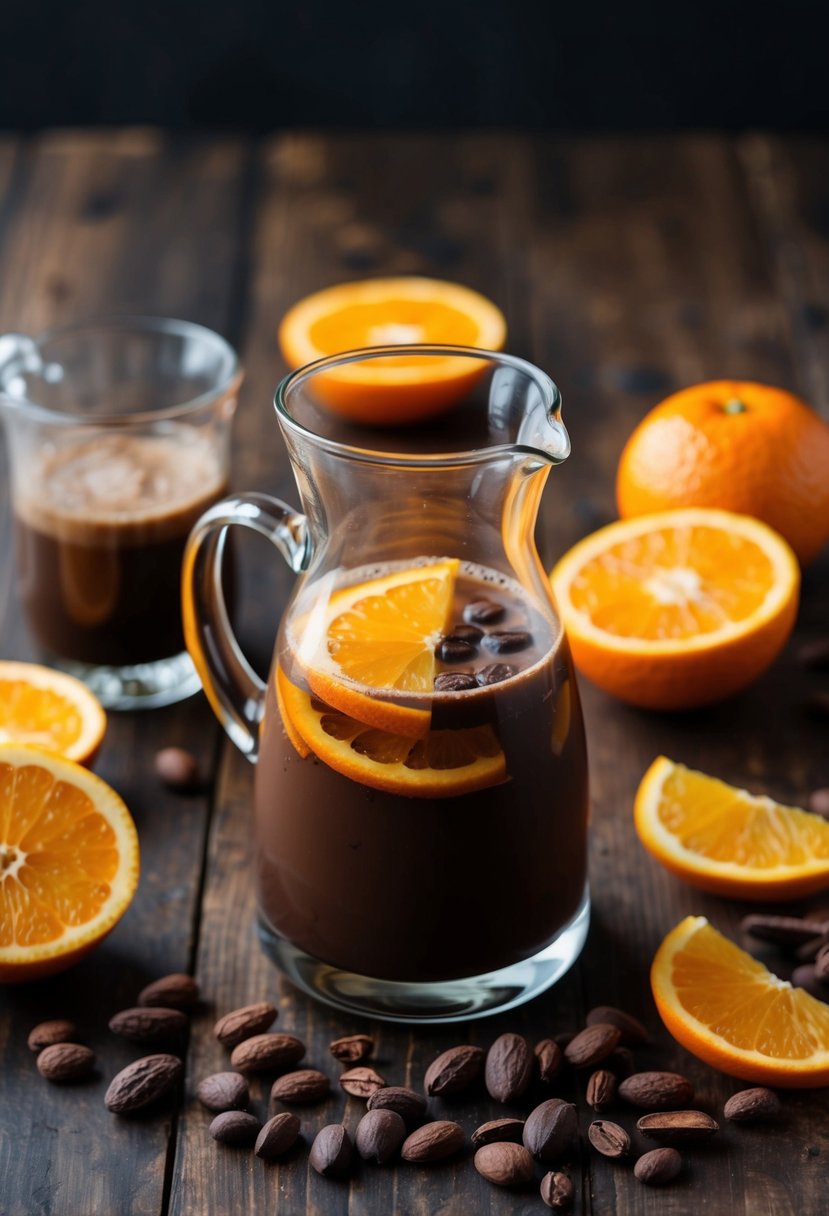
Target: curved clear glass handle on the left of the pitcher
[[235, 691]]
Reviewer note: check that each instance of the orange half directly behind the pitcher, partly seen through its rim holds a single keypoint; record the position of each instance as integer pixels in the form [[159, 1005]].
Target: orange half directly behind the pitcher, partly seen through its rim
[[387, 313]]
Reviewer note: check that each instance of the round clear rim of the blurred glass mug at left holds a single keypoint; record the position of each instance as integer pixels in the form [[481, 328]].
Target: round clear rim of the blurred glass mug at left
[[230, 371]]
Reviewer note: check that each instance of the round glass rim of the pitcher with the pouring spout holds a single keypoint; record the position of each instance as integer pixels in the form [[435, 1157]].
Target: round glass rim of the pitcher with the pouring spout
[[295, 380]]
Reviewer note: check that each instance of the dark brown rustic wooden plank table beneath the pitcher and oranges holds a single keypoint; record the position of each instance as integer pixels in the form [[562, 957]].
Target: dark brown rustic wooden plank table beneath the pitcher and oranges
[[627, 268]]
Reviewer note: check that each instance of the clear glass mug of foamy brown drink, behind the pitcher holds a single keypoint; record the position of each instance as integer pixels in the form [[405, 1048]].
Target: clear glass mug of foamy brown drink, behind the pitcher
[[119, 440]]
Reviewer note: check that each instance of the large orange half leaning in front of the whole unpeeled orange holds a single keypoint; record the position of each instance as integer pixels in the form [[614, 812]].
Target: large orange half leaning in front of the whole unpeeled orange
[[678, 610]]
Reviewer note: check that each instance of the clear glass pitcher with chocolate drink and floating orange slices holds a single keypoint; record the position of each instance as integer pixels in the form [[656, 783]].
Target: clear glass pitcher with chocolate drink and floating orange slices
[[421, 784]]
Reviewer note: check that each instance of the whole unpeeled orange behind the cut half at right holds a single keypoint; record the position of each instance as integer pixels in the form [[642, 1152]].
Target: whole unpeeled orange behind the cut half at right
[[737, 446]]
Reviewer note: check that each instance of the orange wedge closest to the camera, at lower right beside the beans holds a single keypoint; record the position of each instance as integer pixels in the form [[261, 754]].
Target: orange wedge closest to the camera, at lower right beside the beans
[[730, 1011]]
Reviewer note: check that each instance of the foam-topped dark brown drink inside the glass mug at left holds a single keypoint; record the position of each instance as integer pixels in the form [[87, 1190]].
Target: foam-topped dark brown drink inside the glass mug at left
[[100, 531]]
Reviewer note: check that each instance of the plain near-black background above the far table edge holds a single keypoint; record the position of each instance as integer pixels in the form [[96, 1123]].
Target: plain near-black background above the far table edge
[[264, 65]]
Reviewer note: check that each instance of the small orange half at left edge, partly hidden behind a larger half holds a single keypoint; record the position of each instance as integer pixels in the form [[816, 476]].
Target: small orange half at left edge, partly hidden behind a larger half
[[49, 710]]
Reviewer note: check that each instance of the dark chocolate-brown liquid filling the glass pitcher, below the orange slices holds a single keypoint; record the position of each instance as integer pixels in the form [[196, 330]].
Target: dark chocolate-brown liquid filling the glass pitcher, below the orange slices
[[420, 890]]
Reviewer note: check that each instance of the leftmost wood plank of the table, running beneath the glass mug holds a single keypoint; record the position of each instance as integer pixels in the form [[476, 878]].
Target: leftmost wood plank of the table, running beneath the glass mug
[[105, 223]]
